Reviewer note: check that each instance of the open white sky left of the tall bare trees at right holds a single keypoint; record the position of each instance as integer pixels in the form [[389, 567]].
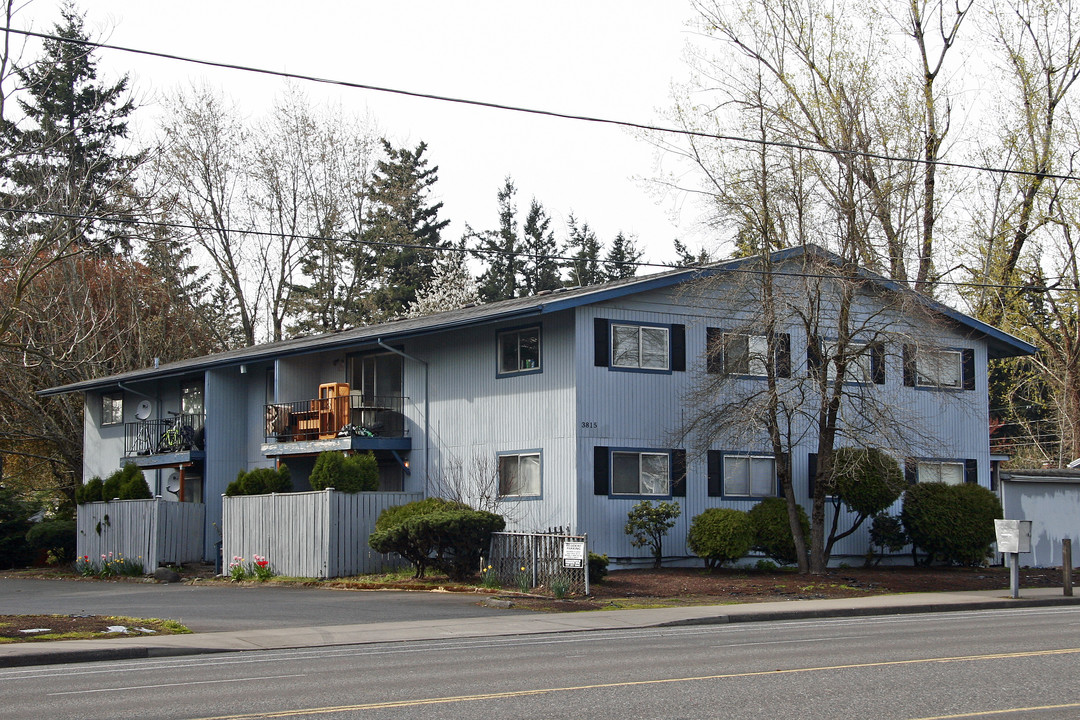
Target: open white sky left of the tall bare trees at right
[[598, 58]]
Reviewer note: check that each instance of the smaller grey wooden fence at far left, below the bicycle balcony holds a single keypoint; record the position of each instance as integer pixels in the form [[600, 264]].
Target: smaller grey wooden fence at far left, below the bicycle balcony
[[154, 533]]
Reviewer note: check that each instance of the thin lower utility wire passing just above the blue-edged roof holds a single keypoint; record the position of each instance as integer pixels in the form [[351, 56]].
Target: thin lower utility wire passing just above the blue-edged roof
[[480, 251]]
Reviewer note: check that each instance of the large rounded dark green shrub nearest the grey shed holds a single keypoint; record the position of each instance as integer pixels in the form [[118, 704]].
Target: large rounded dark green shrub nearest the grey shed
[[952, 523]]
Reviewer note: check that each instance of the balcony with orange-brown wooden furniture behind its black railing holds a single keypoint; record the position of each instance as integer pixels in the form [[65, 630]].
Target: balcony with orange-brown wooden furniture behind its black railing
[[343, 423]]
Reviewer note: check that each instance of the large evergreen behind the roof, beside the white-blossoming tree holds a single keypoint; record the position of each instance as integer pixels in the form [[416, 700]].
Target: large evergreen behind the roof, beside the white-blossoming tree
[[404, 225]]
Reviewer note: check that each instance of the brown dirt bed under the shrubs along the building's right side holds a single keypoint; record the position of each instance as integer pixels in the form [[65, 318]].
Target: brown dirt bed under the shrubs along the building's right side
[[684, 587]]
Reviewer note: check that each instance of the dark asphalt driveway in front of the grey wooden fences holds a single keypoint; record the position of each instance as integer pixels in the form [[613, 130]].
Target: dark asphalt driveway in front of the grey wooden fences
[[218, 607]]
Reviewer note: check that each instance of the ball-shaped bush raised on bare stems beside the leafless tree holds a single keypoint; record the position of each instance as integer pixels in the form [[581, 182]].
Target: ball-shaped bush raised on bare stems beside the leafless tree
[[867, 480]]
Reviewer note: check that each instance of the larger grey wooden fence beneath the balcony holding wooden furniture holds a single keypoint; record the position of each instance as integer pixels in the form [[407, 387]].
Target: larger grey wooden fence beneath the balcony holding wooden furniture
[[309, 535]]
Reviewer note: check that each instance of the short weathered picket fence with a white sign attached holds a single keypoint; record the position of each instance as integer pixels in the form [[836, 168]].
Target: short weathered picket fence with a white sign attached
[[534, 560]]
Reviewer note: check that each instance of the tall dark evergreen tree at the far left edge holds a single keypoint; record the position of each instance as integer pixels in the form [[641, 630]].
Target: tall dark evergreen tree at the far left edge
[[66, 159]]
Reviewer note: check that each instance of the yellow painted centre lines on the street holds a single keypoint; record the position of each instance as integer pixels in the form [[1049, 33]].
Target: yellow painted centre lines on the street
[[632, 684]]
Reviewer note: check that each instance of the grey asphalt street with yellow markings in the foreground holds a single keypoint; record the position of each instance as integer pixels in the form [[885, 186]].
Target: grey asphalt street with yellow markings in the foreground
[[989, 664]]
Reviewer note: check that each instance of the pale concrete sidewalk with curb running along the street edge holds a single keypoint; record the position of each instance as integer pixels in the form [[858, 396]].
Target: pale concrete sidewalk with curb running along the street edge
[[76, 651]]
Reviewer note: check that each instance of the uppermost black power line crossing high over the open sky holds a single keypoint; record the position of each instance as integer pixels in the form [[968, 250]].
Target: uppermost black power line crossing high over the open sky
[[538, 112]]
